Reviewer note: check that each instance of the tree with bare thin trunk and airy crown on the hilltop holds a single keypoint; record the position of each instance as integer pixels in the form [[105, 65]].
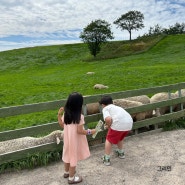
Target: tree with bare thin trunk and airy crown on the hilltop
[[133, 20]]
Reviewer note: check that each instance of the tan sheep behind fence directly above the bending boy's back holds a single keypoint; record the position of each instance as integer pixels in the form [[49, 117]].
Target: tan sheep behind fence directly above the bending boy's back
[[128, 104]]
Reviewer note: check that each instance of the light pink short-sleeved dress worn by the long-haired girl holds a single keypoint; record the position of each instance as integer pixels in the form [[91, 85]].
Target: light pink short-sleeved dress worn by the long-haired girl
[[75, 146]]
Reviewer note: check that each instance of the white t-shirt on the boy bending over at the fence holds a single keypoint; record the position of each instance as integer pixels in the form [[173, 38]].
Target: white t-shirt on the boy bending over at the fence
[[121, 119]]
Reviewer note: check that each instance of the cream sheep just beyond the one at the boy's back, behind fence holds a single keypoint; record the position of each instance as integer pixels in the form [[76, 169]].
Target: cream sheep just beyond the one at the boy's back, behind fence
[[144, 99]]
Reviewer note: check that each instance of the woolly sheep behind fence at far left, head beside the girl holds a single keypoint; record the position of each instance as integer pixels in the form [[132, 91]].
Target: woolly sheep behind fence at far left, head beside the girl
[[26, 142]]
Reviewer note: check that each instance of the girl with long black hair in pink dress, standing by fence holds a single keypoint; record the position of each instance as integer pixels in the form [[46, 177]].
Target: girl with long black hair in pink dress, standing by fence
[[75, 145]]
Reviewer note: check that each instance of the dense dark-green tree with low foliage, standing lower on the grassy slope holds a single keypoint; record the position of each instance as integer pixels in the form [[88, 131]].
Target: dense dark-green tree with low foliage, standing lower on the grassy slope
[[96, 33]]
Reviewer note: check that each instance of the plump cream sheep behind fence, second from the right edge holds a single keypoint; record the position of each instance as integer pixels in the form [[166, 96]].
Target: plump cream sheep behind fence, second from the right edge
[[162, 97]]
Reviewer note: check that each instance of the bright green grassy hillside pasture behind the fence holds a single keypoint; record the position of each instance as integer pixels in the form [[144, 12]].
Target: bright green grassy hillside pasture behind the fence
[[39, 74]]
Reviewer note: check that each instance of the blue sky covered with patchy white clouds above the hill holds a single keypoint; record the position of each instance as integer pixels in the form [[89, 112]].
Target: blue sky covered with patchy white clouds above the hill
[[29, 23]]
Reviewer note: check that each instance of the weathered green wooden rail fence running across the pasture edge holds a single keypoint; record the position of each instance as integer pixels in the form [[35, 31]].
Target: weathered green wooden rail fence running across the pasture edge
[[54, 105]]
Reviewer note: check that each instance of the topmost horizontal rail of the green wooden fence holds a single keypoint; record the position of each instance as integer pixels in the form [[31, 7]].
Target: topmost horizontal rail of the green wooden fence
[[53, 105]]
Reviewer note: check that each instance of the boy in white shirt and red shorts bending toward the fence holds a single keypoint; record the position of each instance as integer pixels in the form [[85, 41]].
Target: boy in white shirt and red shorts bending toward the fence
[[118, 122]]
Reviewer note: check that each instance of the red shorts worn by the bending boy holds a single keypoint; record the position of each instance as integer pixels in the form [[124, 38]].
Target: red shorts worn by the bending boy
[[114, 136]]
